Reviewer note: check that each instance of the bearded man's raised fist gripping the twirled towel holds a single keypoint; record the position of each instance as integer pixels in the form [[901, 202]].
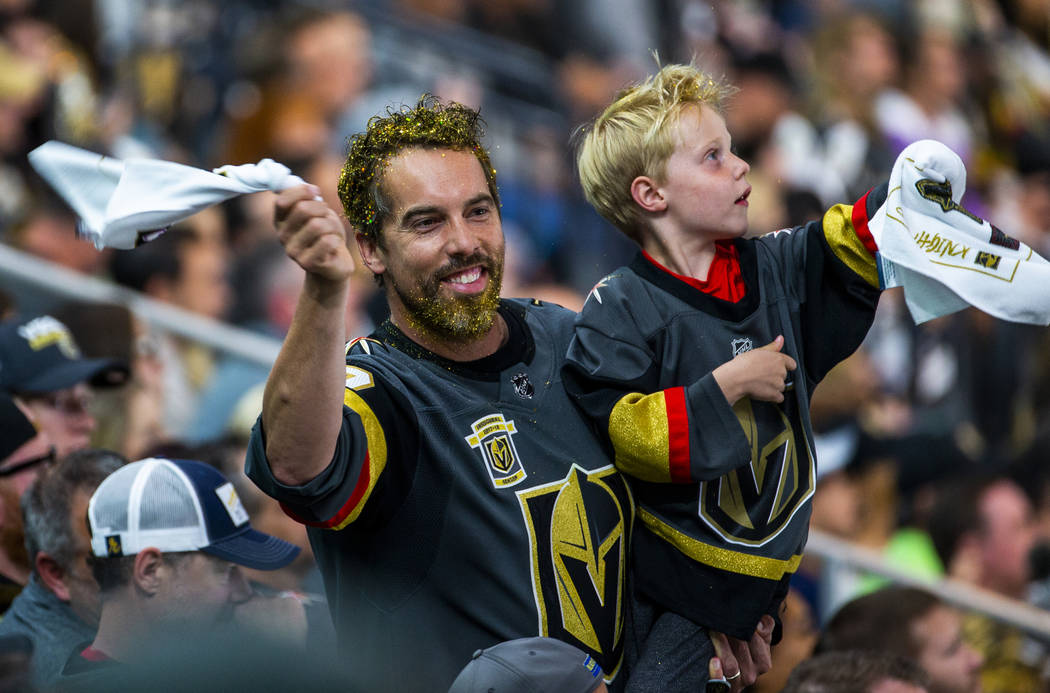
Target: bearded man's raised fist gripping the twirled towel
[[313, 235]]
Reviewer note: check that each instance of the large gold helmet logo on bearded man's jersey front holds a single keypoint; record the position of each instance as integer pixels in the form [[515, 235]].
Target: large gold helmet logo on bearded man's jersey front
[[580, 531]]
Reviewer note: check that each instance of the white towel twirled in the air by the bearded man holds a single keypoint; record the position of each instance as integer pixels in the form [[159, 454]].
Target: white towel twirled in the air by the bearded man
[[123, 204]]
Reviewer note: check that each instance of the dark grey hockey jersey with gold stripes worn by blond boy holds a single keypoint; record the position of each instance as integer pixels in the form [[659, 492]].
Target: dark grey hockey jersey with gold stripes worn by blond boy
[[723, 492]]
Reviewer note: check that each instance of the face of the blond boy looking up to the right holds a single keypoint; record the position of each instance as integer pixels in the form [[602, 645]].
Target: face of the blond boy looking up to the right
[[704, 185]]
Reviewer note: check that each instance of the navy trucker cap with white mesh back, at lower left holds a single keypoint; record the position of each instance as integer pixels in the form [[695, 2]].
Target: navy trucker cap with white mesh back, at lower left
[[179, 506]]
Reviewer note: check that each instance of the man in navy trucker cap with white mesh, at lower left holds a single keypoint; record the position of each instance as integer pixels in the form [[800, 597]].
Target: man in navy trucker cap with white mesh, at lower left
[[167, 539]]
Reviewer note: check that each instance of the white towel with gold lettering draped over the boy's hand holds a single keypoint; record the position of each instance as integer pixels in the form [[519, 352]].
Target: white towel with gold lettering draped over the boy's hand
[[946, 258]]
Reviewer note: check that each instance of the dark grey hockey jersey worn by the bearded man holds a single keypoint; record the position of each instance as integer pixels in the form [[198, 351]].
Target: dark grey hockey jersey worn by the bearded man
[[467, 505]]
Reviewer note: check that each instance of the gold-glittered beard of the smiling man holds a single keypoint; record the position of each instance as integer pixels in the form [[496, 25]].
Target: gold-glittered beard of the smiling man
[[459, 319]]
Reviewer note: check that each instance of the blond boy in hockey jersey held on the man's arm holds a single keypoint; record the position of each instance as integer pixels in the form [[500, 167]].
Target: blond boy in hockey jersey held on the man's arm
[[697, 364]]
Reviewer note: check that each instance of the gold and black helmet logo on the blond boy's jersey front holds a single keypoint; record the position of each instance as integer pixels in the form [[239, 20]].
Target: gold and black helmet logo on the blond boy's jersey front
[[752, 505]]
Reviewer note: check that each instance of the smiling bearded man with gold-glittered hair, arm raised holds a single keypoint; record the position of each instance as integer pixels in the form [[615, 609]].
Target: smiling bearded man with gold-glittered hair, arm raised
[[454, 497]]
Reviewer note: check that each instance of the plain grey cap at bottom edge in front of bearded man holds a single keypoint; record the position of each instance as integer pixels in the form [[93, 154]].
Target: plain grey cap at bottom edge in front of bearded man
[[530, 665]]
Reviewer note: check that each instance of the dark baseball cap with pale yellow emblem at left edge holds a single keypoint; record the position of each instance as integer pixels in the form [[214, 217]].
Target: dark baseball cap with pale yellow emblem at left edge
[[39, 355]]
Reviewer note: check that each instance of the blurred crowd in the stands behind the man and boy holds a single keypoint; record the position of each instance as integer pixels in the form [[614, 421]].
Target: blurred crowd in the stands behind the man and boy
[[932, 439]]
